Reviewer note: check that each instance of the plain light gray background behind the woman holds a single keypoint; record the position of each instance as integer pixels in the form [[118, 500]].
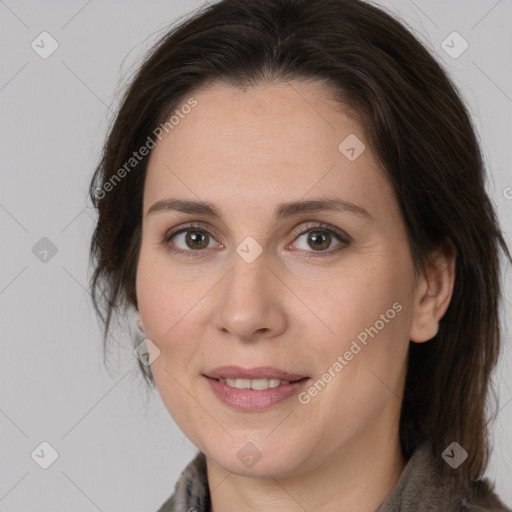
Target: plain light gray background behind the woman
[[118, 448]]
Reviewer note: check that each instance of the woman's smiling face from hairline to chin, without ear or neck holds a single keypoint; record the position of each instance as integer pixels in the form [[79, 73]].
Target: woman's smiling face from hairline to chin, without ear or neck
[[325, 293]]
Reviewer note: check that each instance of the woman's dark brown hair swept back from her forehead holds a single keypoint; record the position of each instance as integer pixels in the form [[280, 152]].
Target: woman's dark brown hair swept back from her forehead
[[416, 125]]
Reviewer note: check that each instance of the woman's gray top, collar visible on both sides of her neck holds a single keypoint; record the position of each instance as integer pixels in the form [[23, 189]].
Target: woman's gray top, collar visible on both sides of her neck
[[420, 488]]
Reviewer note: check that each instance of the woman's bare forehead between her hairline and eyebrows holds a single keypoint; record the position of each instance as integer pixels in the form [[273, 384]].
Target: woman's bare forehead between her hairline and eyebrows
[[262, 145]]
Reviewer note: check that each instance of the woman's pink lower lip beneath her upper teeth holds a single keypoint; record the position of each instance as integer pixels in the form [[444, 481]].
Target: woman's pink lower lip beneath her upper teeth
[[252, 399]]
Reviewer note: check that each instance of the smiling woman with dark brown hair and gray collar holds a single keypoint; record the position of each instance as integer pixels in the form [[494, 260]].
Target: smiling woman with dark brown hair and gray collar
[[292, 199]]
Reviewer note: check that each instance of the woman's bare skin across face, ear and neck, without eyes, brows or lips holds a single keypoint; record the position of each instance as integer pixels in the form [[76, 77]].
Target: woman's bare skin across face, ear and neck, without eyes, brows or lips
[[247, 151]]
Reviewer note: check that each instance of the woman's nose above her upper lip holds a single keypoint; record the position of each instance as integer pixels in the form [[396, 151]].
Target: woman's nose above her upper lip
[[251, 301]]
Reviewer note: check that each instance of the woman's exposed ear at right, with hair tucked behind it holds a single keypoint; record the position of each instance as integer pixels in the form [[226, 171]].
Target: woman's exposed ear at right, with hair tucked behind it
[[433, 293]]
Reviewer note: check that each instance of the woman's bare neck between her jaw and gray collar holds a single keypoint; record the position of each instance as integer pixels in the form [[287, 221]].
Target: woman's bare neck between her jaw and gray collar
[[359, 479]]
